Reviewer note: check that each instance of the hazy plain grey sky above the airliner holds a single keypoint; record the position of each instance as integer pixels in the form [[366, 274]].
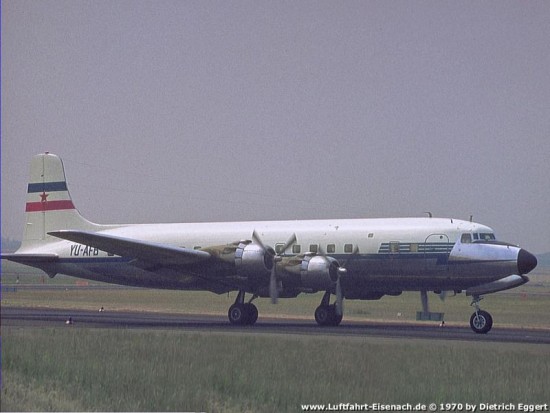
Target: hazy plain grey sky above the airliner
[[179, 111]]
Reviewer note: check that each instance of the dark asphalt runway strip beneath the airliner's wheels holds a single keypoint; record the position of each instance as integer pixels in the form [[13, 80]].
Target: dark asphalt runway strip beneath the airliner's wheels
[[33, 317]]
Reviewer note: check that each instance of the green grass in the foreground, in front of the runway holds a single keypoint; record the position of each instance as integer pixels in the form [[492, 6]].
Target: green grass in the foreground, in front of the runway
[[140, 370]]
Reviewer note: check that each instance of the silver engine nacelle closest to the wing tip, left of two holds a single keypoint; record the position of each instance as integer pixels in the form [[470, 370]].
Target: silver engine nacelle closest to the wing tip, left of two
[[251, 260]]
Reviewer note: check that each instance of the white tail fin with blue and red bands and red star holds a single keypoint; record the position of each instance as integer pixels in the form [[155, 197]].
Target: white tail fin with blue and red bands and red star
[[49, 204]]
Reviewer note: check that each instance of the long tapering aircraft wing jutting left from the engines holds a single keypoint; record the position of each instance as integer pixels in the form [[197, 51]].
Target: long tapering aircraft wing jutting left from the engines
[[143, 251]]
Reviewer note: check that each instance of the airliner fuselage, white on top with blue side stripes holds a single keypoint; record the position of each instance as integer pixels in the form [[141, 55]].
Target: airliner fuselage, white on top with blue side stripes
[[382, 256]]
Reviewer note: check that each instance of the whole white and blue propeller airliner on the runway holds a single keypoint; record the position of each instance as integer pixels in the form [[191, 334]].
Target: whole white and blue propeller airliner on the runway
[[354, 259]]
